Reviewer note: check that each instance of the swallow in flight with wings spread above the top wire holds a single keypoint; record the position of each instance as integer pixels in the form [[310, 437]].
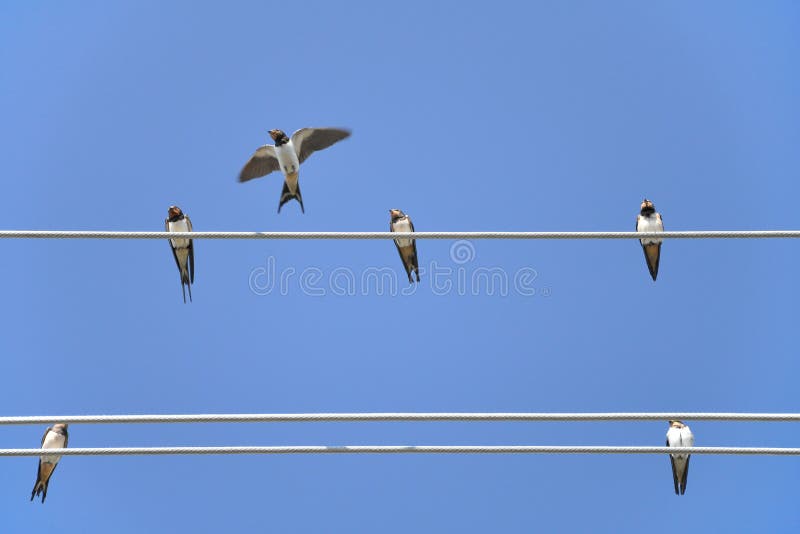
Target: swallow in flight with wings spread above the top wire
[[287, 154]]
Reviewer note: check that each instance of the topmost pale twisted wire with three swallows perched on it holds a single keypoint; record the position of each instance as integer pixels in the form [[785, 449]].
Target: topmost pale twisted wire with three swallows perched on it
[[92, 234]]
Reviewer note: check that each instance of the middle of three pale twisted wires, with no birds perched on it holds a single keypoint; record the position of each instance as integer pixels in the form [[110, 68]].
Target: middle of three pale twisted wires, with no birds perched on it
[[386, 417]]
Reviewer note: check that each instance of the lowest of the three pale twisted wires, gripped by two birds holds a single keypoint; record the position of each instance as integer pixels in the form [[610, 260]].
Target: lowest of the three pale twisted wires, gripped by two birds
[[402, 449]]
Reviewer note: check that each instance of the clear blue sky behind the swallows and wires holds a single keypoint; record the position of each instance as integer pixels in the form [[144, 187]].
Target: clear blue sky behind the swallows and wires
[[468, 116]]
